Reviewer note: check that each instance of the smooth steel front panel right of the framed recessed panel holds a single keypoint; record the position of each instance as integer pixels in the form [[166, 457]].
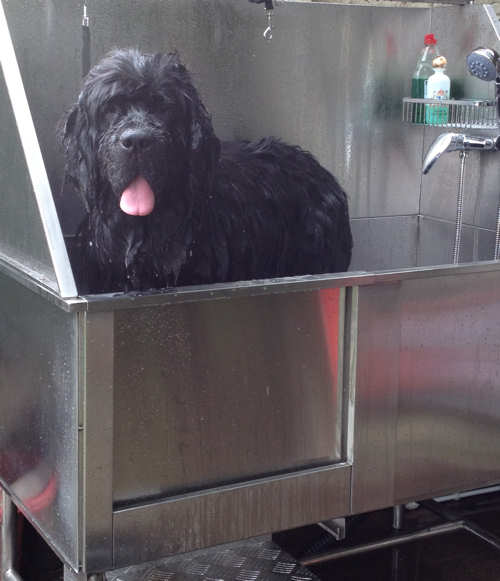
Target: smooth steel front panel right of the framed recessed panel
[[427, 419]]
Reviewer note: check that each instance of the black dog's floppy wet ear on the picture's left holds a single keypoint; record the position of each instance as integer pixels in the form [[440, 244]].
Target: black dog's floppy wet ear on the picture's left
[[77, 137]]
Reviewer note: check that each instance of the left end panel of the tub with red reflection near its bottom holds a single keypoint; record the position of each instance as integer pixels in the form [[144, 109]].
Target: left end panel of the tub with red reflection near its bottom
[[38, 413]]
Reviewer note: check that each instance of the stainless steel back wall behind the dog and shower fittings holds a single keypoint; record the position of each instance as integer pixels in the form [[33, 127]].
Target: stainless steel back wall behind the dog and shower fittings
[[331, 80]]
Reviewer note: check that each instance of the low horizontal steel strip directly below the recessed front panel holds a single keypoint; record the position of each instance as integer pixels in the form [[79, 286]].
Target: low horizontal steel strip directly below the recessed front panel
[[222, 515]]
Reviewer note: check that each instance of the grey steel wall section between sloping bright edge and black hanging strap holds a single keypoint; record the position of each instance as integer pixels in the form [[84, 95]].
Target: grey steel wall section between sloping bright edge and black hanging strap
[[47, 40]]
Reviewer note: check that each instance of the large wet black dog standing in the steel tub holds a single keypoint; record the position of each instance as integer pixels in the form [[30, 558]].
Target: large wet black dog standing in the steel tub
[[168, 204]]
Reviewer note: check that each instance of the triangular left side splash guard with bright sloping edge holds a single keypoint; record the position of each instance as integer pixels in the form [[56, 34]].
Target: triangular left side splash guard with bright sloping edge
[[27, 171]]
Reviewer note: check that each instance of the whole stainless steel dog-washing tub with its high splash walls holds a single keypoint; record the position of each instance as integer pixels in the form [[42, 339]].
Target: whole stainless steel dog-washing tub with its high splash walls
[[134, 427]]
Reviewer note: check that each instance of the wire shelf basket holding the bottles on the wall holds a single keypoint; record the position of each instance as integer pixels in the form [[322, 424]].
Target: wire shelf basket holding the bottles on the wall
[[466, 114]]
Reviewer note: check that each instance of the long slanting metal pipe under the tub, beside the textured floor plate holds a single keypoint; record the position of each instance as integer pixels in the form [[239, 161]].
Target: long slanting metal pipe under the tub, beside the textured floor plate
[[382, 544]]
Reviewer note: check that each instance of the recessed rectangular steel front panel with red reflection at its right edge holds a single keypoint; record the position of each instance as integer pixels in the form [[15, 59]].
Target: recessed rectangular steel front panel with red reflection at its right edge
[[216, 392]]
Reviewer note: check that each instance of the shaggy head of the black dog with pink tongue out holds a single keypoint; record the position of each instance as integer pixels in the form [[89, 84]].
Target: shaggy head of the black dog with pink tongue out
[[139, 136]]
